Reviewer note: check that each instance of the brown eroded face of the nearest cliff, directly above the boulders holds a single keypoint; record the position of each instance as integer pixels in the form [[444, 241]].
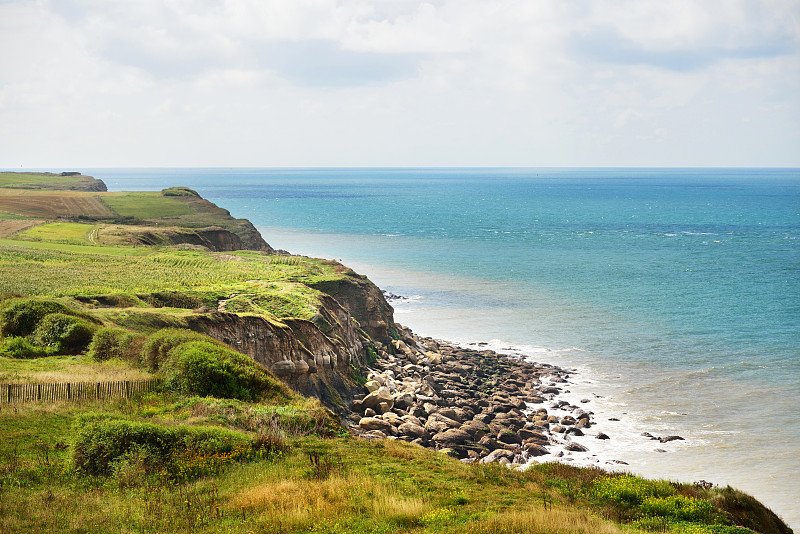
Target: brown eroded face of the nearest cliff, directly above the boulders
[[315, 357]]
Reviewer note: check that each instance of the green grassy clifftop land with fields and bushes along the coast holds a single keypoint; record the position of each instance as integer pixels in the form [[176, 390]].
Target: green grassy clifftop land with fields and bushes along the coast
[[222, 445]]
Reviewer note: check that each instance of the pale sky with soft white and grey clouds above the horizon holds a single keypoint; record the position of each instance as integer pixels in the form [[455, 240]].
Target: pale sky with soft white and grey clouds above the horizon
[[307, 83]]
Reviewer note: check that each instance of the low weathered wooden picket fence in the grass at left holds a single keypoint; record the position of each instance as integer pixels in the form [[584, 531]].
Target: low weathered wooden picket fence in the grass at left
[[13, 393]]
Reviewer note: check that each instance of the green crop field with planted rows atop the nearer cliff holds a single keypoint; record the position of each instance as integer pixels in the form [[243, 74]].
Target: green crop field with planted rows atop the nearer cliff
[[256, 283]]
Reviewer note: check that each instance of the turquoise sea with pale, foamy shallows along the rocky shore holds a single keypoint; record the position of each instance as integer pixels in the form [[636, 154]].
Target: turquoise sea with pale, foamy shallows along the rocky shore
[[674, 294]]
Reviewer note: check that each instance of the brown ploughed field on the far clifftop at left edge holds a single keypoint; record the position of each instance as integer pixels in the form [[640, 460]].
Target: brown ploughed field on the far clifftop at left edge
[[52, 205]]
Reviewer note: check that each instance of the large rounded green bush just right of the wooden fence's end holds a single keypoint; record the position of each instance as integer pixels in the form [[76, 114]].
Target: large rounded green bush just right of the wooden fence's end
[[207, 368]]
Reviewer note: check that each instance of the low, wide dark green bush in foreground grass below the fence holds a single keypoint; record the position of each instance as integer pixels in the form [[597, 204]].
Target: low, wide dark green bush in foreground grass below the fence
[[104, 444]]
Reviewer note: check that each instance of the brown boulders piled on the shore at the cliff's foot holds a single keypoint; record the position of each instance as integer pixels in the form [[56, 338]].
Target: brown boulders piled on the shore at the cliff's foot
[[476, 405]]
